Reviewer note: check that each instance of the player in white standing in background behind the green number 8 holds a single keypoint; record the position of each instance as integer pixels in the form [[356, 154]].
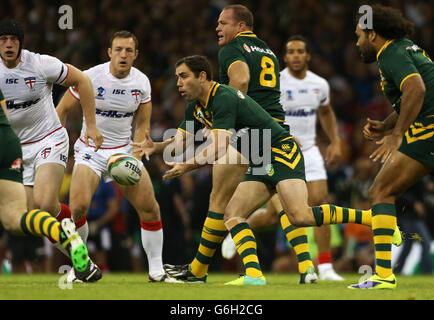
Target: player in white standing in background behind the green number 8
[[304, 96]]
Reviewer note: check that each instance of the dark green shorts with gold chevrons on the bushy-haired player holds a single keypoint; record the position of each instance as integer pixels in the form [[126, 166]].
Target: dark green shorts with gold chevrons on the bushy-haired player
[[418, 141]]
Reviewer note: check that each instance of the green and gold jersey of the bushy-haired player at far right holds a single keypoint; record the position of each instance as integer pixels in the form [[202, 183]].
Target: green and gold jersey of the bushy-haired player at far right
[[398, 60]]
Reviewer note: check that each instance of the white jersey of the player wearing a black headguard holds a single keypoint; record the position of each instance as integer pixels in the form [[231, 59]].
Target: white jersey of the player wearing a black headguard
[[28, 92]]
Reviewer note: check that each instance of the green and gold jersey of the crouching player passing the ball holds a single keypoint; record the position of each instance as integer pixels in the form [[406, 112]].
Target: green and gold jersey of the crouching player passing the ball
[[229, 109]]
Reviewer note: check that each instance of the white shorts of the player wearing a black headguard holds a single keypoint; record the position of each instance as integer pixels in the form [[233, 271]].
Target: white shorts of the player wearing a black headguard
[[53, 148]]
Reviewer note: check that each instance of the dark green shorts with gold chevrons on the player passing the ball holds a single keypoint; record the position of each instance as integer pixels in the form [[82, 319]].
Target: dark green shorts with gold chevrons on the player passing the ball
[[287, 162]]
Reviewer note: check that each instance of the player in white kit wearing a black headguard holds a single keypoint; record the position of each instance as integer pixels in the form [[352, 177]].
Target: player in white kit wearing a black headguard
[[27, 79]]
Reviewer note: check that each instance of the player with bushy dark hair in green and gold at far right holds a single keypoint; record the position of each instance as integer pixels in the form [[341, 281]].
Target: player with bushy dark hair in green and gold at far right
[[406, 136]]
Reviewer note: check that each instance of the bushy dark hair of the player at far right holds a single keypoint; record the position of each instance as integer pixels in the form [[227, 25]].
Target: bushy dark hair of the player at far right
[[390, 23]]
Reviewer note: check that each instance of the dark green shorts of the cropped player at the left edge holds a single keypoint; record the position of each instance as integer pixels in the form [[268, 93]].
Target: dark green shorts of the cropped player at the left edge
[[11, 163]]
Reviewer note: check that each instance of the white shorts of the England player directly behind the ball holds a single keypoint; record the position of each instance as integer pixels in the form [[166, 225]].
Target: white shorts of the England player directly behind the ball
[[97, 161]]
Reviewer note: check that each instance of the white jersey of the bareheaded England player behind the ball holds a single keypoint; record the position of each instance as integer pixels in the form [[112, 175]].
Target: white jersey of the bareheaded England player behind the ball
[[116, 101]]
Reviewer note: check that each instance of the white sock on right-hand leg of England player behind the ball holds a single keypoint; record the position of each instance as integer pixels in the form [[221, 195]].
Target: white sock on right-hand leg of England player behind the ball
[[152, 242]]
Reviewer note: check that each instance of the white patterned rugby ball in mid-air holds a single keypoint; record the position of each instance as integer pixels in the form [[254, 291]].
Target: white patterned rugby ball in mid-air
[[124, 169]]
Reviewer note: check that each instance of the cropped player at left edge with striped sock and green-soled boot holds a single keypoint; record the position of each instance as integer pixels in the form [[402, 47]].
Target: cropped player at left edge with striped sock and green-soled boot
[[14, 215]]
